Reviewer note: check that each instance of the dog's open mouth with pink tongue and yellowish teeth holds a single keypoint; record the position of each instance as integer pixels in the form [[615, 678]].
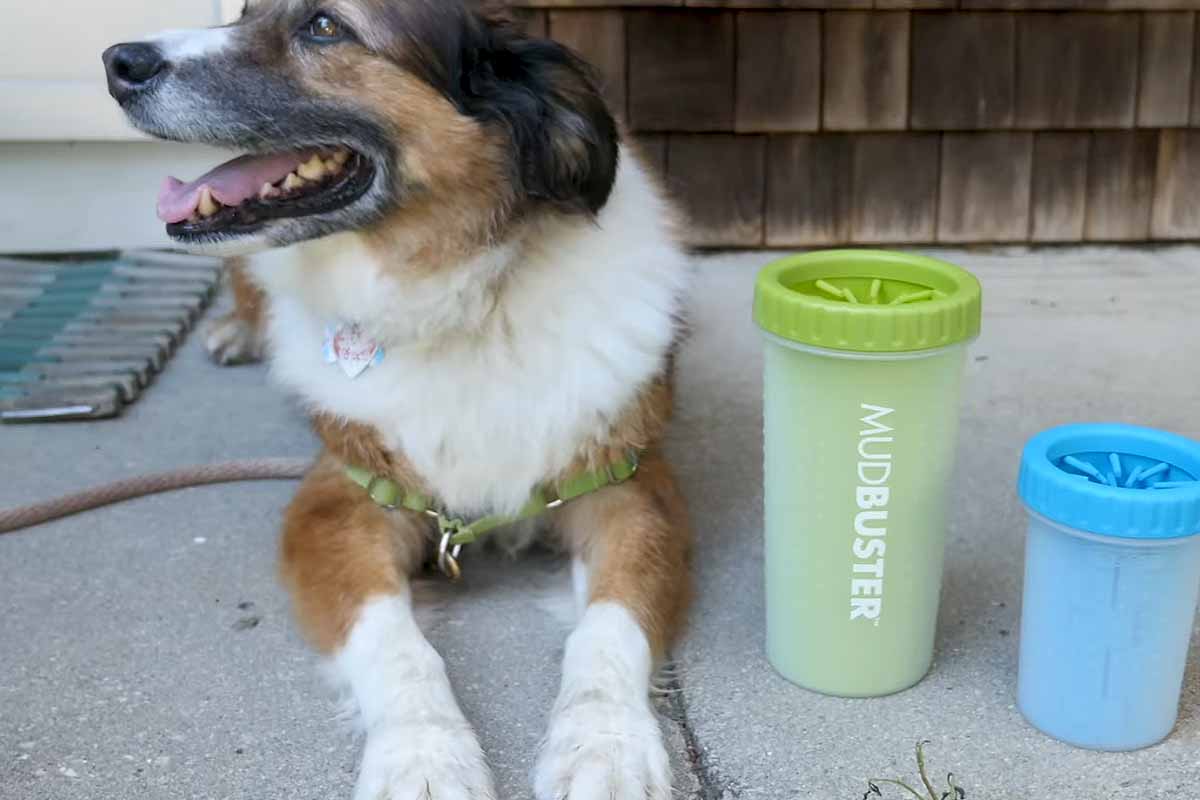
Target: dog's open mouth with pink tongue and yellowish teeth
[[243, 195]]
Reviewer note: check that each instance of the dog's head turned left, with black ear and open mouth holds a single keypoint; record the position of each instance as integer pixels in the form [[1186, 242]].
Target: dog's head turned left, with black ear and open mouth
[[351, 112]]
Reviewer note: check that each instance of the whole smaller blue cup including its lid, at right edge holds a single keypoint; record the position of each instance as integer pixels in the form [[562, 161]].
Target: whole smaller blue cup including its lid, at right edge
[[1112, 582]]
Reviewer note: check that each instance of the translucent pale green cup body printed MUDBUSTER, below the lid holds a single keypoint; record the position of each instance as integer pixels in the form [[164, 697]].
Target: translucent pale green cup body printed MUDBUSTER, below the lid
[[860, 452]]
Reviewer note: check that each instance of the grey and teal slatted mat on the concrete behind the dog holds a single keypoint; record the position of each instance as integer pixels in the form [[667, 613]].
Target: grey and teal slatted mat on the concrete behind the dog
[[82, 339]]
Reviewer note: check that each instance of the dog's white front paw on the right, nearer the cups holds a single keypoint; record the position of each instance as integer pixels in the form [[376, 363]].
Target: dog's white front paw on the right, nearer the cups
[[603, 750]]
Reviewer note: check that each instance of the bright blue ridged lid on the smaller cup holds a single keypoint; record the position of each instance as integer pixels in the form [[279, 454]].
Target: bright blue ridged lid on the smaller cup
[[1117, 480]]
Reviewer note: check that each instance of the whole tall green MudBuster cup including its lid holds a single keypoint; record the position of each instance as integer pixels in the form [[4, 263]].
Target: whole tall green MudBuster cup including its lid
[[863, 371]]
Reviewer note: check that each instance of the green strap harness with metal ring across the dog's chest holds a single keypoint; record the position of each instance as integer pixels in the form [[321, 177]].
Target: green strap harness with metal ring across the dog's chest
[[457, 533]]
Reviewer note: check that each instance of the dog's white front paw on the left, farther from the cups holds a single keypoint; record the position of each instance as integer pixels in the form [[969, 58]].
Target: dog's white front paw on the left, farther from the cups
[[424, 761]]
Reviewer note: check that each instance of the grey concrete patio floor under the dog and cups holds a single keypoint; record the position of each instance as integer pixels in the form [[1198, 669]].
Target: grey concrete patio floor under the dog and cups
[[147, 651]]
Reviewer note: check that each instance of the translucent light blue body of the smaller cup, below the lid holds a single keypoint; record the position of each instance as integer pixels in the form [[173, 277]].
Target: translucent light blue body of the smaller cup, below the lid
[[1105, 635]]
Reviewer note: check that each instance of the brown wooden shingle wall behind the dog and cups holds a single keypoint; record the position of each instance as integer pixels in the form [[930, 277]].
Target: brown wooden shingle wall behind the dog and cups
[[817, 123]]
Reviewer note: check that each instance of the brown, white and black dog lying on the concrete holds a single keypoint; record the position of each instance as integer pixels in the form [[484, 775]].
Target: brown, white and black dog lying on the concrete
[[457, 194]]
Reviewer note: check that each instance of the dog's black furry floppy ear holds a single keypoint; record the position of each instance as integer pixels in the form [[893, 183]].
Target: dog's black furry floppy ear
[[565, 139]]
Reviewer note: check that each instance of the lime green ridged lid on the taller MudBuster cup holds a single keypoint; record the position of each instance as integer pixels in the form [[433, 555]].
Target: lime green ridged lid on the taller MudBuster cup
[[868, 302]]
